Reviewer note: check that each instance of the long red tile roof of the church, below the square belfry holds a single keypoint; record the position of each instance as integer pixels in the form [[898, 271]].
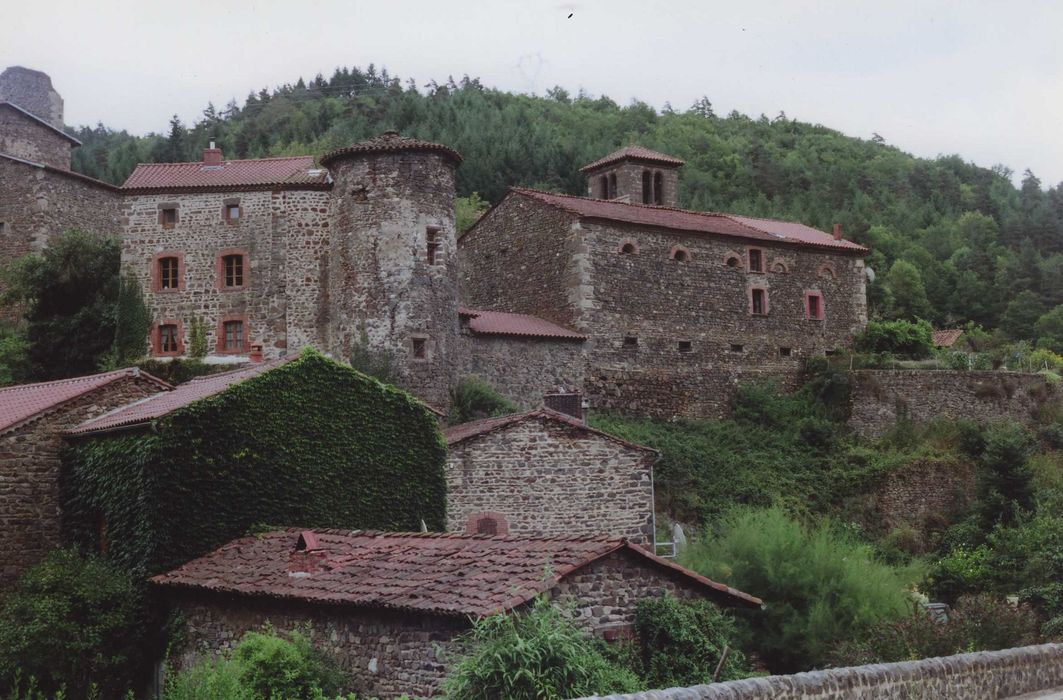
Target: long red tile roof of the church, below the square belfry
[[704, 223]]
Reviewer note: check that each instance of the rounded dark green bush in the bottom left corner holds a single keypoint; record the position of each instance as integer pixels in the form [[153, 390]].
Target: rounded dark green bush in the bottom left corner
[[71, 622]]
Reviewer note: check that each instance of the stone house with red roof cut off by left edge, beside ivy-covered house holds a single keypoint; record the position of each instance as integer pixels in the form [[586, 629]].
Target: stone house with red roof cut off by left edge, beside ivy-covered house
[[32, 419]]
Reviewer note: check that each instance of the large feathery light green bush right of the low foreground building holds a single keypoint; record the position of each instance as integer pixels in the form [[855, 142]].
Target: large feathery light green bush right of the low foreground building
[[819, 584]]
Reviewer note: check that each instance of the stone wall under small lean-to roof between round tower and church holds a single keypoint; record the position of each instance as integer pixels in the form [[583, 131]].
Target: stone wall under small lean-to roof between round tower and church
[[524, 369]]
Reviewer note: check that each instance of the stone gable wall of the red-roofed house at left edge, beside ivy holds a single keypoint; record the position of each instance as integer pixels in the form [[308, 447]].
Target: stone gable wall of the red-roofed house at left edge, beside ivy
[[30, 474]]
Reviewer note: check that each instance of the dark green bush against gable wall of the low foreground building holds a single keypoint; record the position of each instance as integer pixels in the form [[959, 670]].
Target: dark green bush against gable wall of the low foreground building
[[681, 643]]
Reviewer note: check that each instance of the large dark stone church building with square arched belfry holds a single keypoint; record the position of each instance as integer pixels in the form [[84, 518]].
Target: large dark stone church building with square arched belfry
[[678, 306]]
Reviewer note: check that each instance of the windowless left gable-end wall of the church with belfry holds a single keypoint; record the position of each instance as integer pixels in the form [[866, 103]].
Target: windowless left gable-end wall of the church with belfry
[[519, 259]]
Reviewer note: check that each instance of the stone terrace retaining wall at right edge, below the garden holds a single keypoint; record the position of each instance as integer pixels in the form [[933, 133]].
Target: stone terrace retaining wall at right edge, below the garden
[[881, 398]]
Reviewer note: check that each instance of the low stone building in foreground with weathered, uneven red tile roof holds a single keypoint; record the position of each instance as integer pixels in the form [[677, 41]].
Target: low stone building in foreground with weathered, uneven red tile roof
[[387, 607]]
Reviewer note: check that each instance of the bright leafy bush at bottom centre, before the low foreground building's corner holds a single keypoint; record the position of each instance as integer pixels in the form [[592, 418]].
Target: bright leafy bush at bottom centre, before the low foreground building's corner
[[539, 654]]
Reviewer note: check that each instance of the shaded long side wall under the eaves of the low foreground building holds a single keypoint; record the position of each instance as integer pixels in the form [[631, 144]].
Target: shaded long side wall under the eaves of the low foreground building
[[383, 655]]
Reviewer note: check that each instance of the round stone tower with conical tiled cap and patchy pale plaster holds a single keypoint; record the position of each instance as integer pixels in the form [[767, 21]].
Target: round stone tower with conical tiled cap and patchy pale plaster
[[393, 263]]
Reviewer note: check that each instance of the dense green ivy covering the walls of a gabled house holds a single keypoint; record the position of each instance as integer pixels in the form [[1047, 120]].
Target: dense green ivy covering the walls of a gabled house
[[311, 443]]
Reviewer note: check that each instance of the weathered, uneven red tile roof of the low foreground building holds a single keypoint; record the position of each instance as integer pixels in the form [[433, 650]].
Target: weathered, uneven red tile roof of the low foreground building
[[432, 573]]
